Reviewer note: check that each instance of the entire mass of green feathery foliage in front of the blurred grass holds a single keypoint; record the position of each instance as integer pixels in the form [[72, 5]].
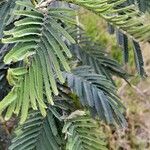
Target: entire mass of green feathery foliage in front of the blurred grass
[[56, 80]]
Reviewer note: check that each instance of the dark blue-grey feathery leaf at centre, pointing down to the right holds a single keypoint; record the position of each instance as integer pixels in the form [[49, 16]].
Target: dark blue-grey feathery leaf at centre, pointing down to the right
[[97, 94]]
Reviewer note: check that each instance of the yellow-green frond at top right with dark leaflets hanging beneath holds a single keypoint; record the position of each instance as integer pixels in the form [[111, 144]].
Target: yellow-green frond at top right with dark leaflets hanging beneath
[[128, 21]]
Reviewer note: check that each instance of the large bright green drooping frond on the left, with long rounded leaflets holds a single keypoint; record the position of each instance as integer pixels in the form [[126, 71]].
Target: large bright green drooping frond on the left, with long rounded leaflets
[[39, 48]]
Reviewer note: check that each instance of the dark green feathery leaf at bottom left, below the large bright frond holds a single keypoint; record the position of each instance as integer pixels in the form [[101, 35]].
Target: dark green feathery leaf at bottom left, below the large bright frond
[[43, 133]]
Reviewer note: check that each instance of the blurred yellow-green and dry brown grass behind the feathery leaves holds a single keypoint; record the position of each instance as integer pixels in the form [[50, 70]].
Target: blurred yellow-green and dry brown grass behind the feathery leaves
[[136, 98]]
